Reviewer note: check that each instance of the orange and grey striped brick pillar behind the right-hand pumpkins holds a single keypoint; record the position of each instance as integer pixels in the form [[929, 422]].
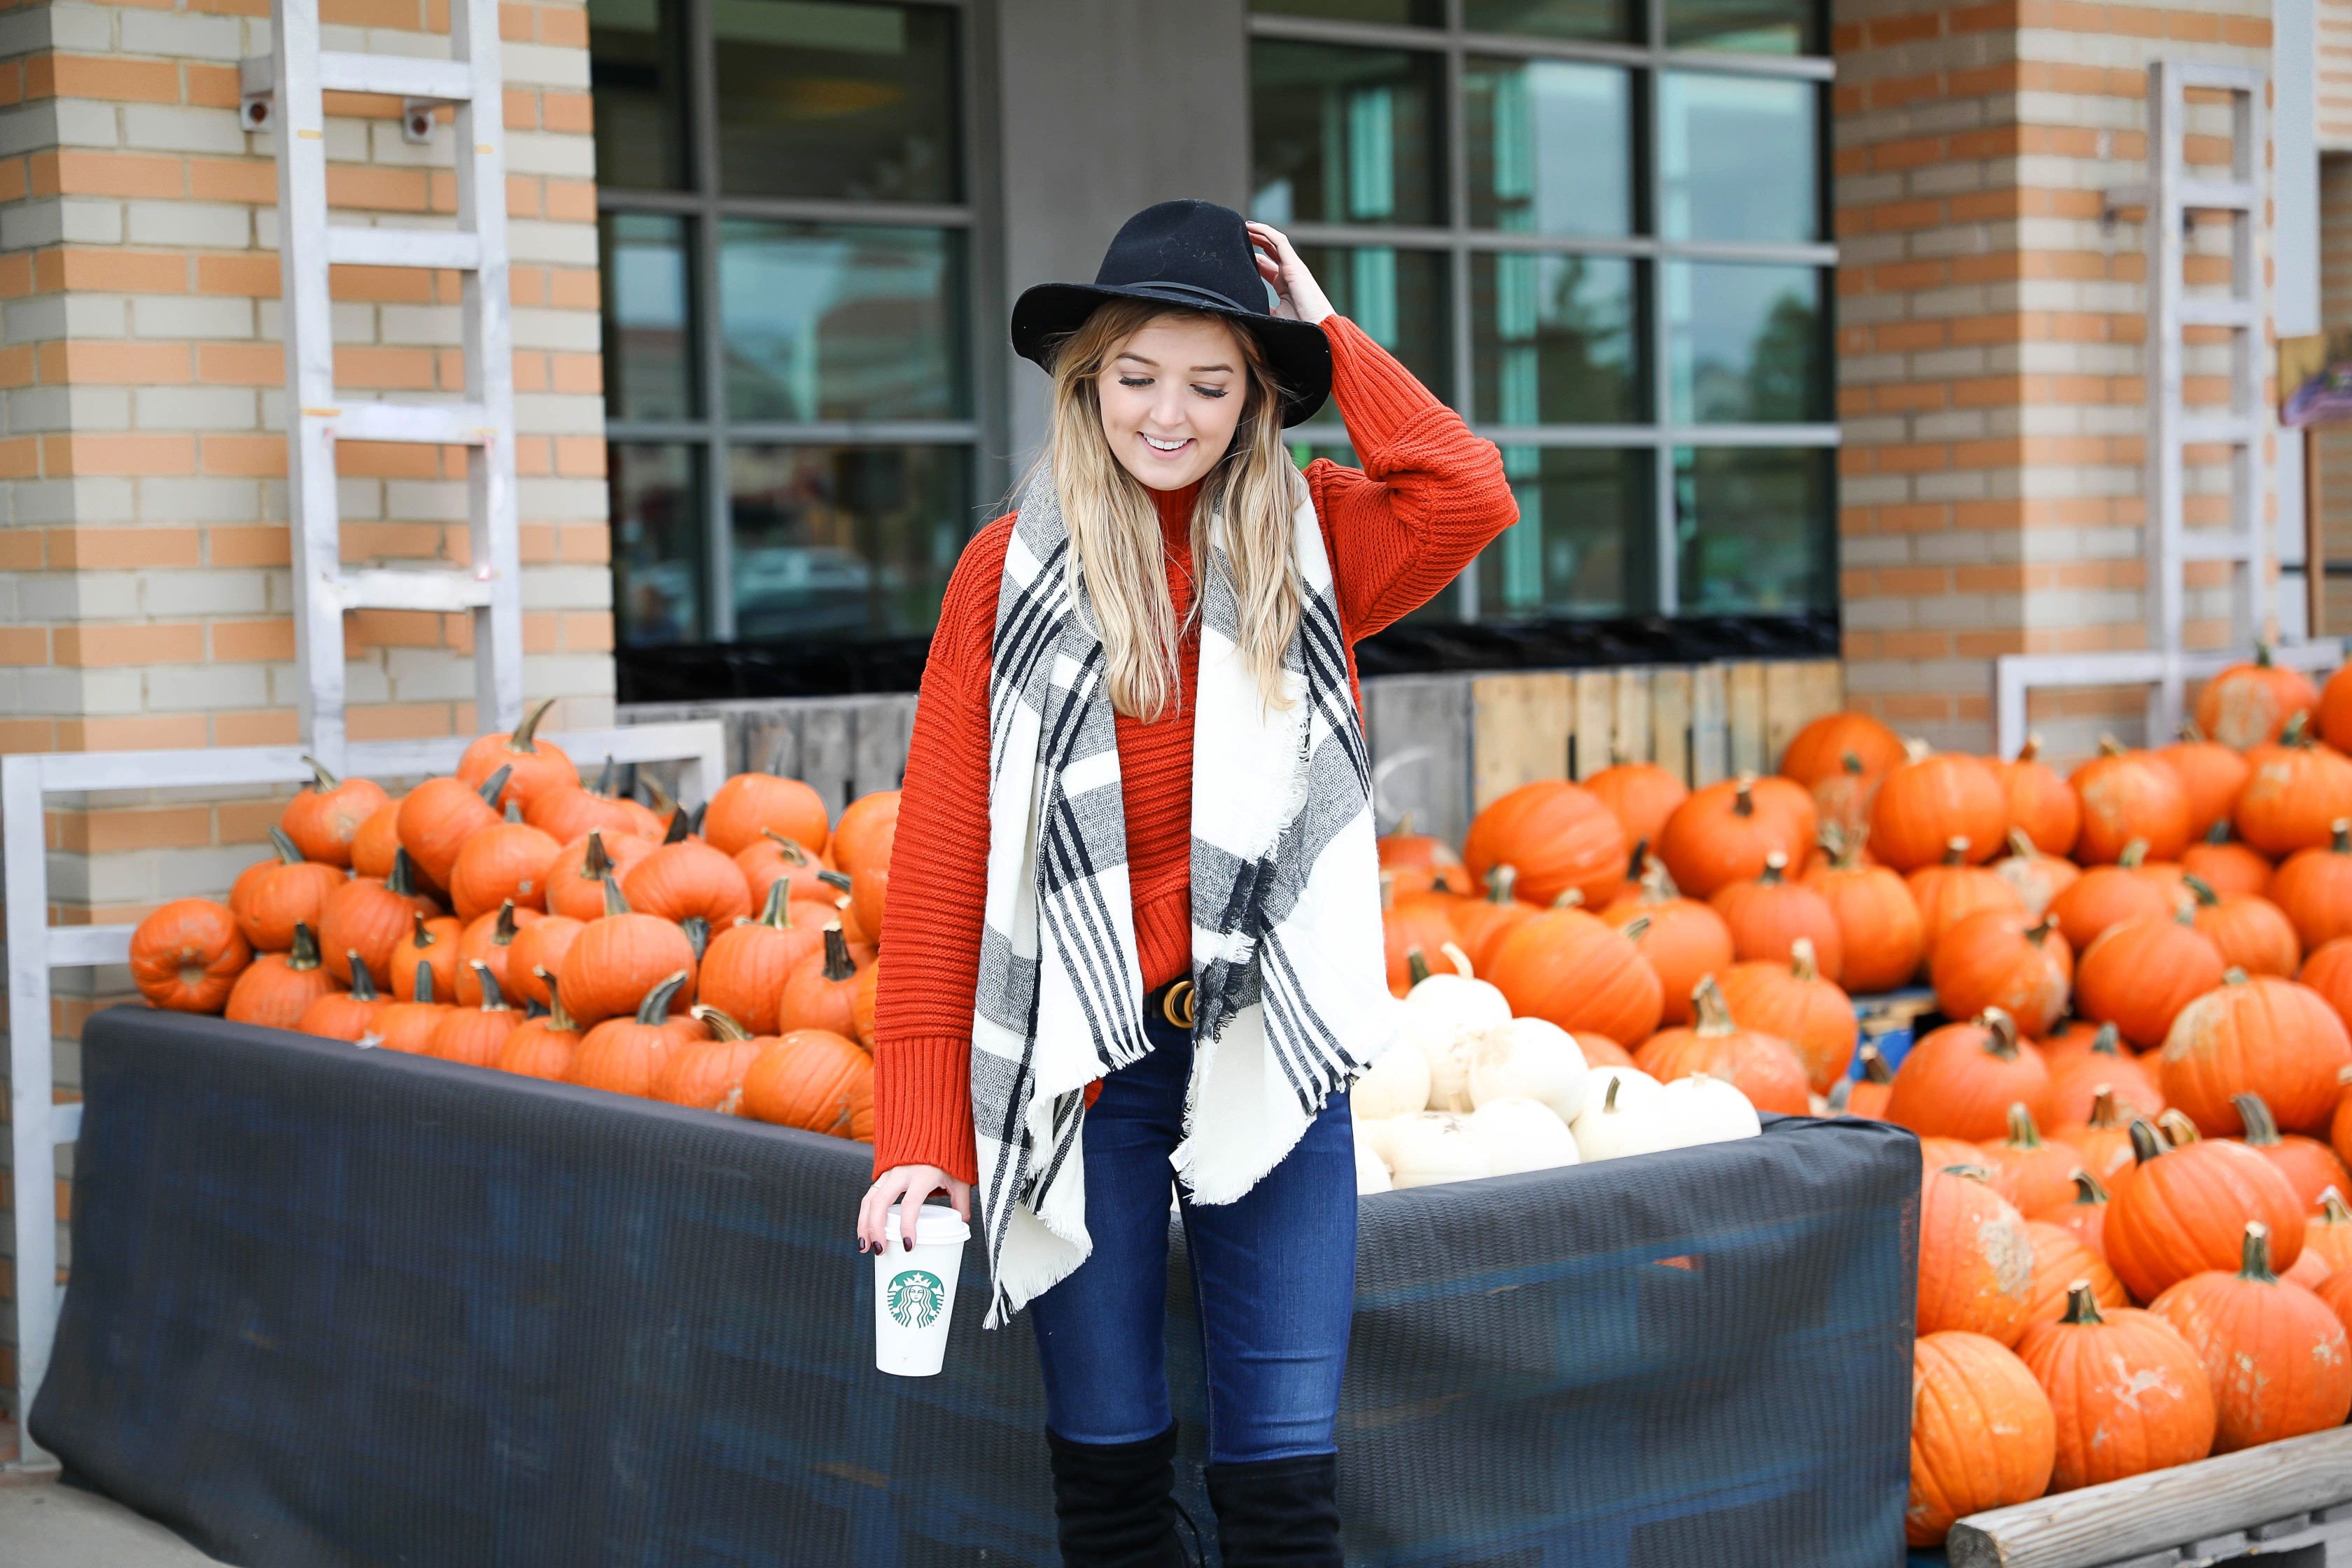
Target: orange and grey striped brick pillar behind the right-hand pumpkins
[[1991, 347]]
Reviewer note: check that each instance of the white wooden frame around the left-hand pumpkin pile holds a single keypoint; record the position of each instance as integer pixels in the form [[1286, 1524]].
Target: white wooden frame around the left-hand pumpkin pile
[[34, 949]]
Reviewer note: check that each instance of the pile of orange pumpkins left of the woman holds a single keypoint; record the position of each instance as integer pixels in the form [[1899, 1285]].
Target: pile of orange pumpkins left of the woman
[[519, 920]]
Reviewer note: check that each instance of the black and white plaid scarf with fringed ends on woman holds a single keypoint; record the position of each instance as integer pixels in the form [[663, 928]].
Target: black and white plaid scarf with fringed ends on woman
[[1292, 1000]]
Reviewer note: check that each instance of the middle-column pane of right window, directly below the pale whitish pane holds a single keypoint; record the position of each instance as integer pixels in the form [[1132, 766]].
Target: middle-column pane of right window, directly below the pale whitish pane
[[1553, 342]]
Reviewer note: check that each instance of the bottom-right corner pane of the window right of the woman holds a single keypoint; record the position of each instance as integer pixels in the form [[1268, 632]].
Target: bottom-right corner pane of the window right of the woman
[[1753, 525]]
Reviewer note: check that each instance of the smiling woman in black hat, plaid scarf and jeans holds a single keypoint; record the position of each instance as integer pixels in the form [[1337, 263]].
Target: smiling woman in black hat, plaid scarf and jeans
[[1135, 897]]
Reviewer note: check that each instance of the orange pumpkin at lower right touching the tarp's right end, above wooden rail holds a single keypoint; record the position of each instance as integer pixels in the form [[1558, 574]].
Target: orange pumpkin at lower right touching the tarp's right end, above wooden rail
[[1982, 1435]]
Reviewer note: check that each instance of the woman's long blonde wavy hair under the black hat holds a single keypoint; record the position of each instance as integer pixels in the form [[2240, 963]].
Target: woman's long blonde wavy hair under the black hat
[[1116, 528]]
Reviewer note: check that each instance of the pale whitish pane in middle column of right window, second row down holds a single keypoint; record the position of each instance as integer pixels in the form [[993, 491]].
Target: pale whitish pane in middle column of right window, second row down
[[1551, 147]]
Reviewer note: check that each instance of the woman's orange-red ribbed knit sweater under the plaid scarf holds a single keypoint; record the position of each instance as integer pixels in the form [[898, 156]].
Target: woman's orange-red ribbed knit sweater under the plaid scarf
[[1429, 497]]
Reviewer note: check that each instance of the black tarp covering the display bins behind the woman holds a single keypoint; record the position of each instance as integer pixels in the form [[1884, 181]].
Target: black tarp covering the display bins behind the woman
[[342, 1306]]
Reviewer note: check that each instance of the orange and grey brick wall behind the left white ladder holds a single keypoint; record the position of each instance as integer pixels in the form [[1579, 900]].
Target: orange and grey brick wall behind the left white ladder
[[145, 591]]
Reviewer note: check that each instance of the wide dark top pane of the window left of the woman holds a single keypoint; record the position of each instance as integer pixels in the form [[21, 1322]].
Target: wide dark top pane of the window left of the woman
[[853, 102]]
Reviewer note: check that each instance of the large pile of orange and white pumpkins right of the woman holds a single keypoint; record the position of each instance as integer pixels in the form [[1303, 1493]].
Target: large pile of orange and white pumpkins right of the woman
[[2134, 1245]]
